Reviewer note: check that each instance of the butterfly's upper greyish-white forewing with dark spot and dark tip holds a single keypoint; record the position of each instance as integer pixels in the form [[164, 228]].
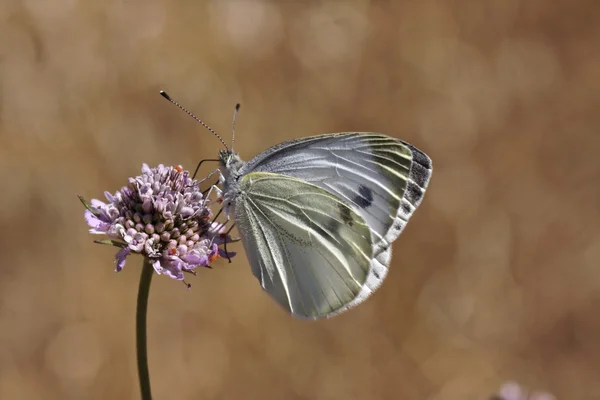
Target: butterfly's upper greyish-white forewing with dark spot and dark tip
[[382, 178]]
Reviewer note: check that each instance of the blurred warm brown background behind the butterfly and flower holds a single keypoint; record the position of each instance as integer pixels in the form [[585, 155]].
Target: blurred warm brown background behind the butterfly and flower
[[496, 278]]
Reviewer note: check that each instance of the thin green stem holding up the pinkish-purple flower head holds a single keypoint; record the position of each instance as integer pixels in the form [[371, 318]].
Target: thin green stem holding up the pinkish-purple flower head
[[142, 307]]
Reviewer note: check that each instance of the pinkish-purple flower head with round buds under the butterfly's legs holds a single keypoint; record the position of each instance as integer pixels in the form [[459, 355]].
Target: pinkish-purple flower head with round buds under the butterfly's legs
[[163, 216]]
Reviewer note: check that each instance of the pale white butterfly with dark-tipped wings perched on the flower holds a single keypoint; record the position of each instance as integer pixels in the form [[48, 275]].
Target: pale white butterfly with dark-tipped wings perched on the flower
[[317, 216]]
